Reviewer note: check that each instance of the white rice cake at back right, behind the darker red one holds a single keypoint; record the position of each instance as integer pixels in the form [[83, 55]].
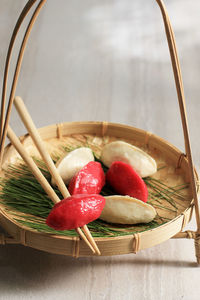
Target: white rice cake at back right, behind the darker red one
[[141, 162]]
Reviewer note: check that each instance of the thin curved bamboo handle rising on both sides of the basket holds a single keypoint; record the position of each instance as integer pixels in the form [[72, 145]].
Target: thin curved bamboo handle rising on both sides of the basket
[[176, 71]]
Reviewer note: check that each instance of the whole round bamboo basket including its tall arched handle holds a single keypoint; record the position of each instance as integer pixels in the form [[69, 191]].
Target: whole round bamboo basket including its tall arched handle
[[97, 134]]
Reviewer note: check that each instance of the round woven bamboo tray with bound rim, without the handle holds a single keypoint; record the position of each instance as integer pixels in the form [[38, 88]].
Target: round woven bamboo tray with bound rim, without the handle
[[96, 135]]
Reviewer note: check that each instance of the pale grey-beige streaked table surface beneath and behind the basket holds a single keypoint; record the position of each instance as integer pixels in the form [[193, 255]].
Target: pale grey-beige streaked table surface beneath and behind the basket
[[106, 60]]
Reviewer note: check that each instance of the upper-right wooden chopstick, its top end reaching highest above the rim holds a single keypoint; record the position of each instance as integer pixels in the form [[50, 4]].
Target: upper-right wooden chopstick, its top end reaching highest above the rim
[[29, 124]]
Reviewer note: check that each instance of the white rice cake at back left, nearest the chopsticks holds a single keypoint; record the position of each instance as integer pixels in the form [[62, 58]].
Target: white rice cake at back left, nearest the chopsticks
[[70, 164]]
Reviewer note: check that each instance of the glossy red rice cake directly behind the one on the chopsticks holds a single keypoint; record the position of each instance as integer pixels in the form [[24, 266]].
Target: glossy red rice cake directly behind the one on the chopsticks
[[89, 180]]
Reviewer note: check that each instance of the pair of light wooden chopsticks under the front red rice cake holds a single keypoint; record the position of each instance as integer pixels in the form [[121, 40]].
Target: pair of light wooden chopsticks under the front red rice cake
[[28, 122]]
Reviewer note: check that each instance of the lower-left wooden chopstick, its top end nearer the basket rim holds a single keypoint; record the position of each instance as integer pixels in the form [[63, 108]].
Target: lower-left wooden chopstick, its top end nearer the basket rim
[[39, 176]]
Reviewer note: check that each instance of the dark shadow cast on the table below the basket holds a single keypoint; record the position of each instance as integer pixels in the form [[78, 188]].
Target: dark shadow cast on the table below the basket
[[24, 268]]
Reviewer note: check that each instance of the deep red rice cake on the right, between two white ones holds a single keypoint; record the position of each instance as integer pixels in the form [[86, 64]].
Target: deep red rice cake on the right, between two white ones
[[125, 181]]
